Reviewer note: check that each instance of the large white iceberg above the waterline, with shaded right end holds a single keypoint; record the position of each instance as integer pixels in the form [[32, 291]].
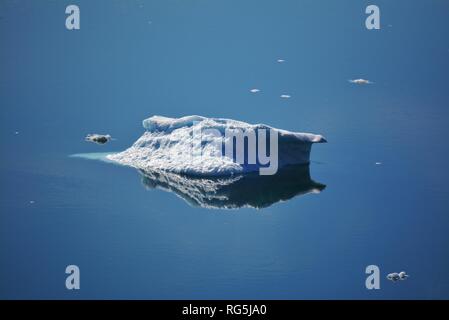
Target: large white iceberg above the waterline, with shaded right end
[[203, 146]]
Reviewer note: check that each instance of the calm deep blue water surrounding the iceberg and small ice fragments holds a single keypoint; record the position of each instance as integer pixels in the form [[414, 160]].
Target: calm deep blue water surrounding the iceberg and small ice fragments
[[203, 57]]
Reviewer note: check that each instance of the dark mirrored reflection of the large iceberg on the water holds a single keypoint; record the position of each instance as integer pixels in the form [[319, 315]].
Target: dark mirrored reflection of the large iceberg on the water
[[249, 190]]
